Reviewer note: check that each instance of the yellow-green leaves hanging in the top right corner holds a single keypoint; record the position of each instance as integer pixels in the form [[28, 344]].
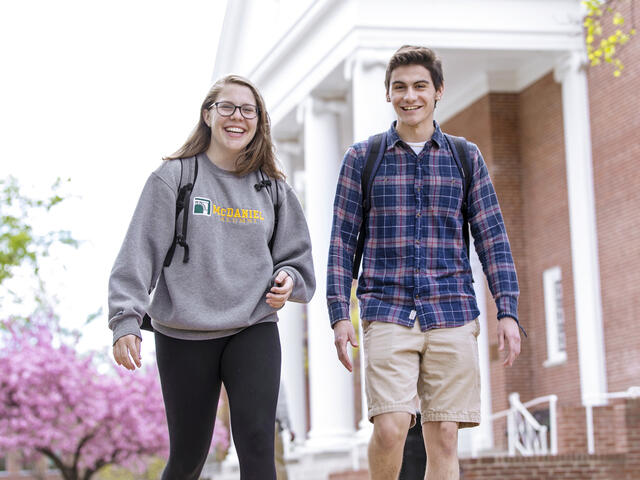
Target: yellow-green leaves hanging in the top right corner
[[600, 46]]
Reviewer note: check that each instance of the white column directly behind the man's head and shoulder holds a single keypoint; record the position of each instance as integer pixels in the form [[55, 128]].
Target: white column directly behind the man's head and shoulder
[[371, 114]]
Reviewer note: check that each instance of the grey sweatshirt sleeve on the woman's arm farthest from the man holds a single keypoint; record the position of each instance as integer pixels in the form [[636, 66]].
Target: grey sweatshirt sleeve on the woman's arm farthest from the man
[[139, 263]]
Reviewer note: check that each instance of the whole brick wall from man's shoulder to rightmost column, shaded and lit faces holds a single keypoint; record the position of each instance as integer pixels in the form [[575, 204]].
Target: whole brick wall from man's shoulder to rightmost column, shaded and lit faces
[[521, 138]]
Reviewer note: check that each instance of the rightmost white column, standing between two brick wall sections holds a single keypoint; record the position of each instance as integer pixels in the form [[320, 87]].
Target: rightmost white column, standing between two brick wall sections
[[582, 219]]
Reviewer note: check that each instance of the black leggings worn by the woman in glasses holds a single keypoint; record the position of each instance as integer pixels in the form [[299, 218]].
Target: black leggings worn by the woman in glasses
[[191, 372]]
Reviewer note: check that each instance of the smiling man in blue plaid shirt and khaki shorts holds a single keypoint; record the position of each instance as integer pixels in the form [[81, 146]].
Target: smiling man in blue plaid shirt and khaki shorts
[[417, 301]]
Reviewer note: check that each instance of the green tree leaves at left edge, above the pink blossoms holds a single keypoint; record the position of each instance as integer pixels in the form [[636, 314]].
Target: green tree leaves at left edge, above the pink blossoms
[[19, 243]]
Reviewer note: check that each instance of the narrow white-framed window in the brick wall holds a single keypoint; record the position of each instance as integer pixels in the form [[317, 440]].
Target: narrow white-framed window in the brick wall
[[554, 313]]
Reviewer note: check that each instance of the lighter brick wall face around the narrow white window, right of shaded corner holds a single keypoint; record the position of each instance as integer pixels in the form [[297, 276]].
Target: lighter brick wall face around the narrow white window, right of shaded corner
[[547, 232]]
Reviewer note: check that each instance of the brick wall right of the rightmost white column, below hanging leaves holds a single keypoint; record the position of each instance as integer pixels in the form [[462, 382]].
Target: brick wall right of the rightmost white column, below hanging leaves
[[615, 123]]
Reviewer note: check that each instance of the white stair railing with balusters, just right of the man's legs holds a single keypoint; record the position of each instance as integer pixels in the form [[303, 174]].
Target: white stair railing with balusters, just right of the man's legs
[[525, 434]]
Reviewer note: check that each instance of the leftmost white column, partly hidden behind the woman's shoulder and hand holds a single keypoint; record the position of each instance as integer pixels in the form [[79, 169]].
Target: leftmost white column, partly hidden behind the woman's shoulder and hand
[[291, 326]]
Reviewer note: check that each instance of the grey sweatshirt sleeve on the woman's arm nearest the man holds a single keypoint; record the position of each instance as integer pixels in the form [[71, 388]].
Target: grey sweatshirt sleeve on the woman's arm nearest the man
[[291, 250]]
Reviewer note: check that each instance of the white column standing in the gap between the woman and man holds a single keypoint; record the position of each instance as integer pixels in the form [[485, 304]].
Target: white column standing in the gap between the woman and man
[[330, 385]]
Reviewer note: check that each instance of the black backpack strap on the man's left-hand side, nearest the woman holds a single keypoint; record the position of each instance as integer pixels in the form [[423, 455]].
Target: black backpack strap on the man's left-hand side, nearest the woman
[[373, 158]]
